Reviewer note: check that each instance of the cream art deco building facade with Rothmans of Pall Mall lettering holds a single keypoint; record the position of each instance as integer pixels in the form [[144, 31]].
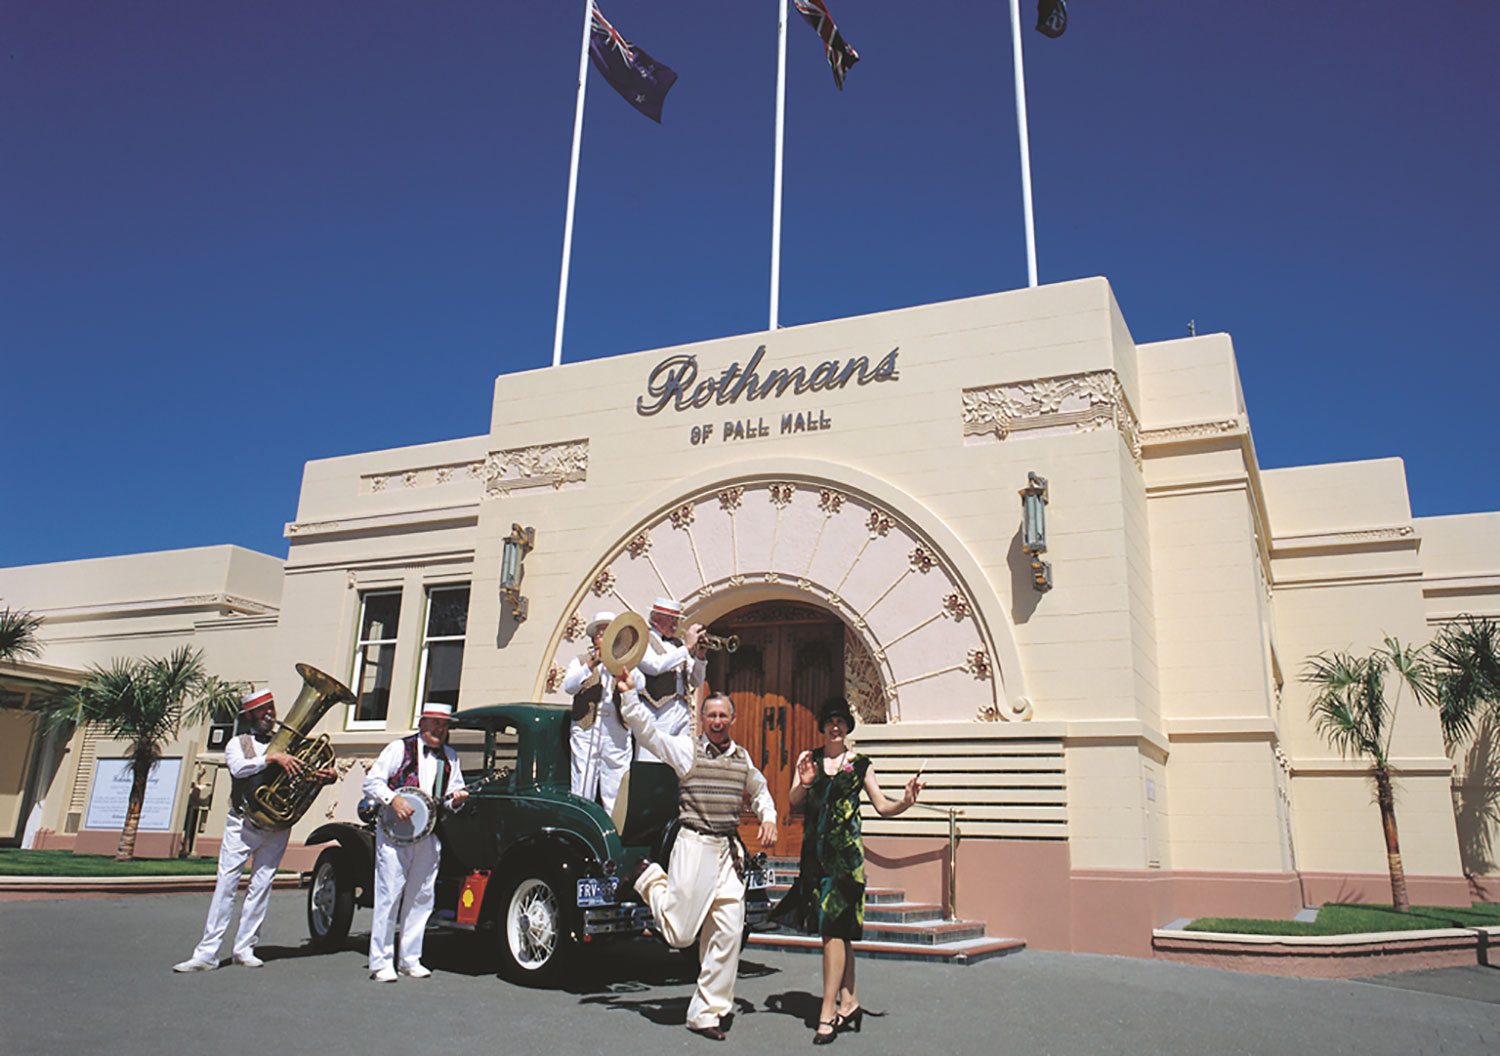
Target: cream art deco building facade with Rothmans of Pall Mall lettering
[[1127, 748]]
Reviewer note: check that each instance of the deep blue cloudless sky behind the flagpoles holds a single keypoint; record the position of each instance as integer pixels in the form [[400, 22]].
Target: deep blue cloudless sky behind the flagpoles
[[239, 236]]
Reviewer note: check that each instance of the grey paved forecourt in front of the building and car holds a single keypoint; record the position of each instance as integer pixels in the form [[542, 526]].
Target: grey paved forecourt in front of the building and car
[[95, 976]]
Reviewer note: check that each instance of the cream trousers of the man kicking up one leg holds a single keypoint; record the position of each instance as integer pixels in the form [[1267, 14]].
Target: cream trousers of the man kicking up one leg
[[701, 896]]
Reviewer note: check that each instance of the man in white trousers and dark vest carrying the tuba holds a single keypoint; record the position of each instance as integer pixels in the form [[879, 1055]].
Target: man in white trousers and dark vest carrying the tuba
[[250, 767]]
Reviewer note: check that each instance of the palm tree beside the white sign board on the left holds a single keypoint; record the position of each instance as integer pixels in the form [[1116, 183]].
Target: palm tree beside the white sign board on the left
[[145, 703]]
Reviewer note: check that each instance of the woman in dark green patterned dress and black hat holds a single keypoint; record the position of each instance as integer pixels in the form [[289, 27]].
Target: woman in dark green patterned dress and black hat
[[829, 895]]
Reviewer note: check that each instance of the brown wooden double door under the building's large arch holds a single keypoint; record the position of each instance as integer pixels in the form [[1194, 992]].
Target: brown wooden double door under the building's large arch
[[790, 662]]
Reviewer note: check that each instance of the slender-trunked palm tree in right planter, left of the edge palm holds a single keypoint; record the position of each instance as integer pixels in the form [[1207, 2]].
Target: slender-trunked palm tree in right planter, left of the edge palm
[[1354, 715]]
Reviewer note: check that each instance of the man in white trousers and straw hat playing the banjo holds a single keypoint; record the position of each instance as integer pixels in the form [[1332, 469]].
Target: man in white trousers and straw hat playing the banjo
[[406, 874]]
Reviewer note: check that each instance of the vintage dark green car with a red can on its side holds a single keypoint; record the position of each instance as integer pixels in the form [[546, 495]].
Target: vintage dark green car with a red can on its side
[[524, 860]]
